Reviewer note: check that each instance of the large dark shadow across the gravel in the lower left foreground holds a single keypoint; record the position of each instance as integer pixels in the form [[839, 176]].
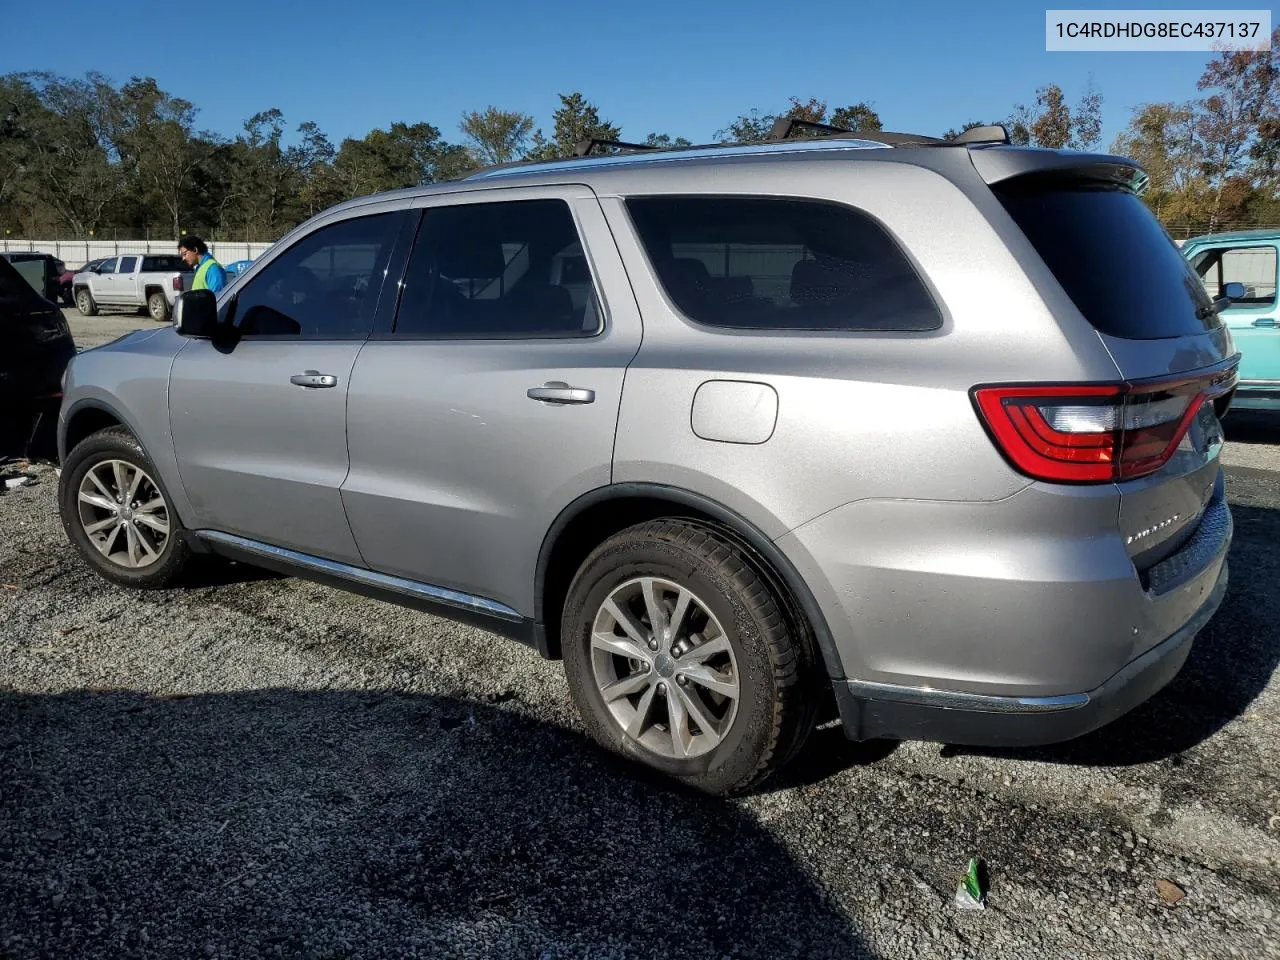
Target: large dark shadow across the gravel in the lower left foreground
[[335, 824]]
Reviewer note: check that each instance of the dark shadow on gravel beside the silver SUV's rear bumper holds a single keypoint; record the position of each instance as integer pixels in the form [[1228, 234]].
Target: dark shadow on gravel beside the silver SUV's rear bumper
[[1229, 666]]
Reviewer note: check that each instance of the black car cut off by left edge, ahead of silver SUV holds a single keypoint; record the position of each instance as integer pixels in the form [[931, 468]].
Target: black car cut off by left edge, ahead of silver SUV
[[35, 349]]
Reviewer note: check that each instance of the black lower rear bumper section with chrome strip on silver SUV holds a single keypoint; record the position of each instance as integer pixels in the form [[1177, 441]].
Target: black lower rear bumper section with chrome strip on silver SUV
[[884, 711]]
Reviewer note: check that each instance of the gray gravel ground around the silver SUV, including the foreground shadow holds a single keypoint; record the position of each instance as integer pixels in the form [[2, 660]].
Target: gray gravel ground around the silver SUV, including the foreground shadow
[[255, 766]]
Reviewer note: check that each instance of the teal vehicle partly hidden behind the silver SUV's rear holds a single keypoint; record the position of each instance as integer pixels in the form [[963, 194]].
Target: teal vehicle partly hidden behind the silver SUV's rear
[[1249, 258]]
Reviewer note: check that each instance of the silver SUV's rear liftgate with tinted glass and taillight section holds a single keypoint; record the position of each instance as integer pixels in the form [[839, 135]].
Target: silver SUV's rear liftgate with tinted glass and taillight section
[[1159, 427]]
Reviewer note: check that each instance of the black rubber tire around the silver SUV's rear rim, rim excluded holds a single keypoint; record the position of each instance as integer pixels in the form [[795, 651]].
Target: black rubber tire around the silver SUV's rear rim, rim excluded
[[779, 694]]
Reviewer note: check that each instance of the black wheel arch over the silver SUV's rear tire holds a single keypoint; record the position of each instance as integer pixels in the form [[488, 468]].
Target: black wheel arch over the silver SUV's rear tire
[[602, 513]]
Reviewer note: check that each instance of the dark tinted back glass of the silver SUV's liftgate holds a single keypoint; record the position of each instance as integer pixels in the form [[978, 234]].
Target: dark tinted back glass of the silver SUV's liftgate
[[1113, 258]]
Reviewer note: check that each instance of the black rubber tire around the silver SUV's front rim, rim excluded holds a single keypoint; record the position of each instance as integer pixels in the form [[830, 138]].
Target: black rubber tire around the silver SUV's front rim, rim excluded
[[118, 444]]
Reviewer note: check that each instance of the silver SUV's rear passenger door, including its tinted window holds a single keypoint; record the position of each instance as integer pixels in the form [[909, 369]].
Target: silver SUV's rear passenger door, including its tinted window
[[493, 401]]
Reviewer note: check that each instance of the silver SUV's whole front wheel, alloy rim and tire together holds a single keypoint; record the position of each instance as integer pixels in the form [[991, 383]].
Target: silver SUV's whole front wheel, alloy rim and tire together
[[117, 513]]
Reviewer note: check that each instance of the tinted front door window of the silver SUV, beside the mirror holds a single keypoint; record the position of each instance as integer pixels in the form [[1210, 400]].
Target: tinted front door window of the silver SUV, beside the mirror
[[323, 287]]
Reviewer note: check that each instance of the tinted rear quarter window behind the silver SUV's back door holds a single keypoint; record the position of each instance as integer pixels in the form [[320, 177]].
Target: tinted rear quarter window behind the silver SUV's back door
[[781, 266]]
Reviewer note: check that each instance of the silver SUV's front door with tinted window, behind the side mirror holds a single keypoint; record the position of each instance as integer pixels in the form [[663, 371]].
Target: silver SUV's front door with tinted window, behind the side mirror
[[259, 427]]
